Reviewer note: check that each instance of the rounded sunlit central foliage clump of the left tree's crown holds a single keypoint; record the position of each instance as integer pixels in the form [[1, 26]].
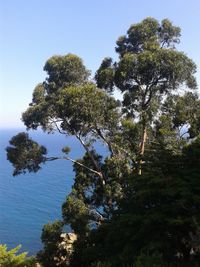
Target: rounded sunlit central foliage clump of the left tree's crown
[[85, 108]]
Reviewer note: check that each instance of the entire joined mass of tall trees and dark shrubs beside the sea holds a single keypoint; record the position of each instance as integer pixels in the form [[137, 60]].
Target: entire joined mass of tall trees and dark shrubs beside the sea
[[139, 204]]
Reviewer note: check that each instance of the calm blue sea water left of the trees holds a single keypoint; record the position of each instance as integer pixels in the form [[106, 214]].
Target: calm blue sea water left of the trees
[[29, 201]]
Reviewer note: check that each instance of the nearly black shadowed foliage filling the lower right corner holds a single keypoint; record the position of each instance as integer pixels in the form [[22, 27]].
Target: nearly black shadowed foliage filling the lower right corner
[[158, 217]]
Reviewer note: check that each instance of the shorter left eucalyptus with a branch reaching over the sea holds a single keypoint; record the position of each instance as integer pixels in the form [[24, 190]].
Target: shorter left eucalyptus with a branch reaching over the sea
[[69, 103]]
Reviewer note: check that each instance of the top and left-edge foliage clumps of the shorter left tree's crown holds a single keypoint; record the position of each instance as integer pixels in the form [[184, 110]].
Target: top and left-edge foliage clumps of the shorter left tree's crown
[[62, 72]]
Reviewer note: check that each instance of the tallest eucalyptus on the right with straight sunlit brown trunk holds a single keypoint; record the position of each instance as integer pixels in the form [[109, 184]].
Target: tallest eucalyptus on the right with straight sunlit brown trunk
[[149, 69]]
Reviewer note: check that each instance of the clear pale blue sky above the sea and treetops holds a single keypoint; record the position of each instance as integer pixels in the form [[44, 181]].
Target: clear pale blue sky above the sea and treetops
[[31, 31]]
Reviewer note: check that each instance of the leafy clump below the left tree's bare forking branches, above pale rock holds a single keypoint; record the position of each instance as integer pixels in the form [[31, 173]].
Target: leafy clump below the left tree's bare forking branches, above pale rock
[[91, 202]]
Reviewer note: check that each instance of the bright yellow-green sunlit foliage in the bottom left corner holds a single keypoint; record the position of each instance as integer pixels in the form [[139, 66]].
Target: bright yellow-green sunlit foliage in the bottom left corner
[[11, 258]]
